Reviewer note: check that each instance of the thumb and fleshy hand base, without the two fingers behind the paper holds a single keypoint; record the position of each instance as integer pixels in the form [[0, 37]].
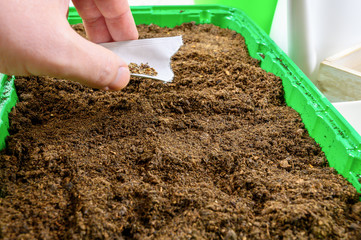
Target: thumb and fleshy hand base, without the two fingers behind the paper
[[39, 41]]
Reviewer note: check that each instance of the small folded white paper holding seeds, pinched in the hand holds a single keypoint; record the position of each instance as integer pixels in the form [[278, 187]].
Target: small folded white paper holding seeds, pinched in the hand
[[156, 52]]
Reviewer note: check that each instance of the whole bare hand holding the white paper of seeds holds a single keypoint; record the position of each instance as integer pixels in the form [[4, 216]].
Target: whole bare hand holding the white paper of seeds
[[36, 39]]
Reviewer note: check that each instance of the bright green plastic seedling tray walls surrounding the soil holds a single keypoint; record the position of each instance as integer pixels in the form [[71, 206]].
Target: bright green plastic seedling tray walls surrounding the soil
[[340, 142]]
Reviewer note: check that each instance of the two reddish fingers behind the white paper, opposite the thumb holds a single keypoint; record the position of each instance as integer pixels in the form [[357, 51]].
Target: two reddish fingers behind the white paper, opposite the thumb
[[107, 20]]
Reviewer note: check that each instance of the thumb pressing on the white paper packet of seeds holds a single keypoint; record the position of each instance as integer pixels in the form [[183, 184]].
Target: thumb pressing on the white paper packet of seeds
[[93, 65]]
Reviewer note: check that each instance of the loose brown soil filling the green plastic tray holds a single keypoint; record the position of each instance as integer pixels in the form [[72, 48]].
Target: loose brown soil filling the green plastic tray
[[216, 154]]
